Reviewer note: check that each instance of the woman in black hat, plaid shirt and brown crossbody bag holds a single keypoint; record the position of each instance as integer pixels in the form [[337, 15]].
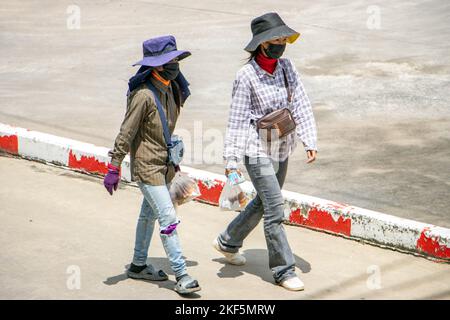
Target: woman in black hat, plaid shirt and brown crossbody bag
[[265, 86]]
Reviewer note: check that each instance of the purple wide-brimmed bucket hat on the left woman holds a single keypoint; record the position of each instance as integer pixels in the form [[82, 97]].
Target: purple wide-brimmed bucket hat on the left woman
[[160, 50]]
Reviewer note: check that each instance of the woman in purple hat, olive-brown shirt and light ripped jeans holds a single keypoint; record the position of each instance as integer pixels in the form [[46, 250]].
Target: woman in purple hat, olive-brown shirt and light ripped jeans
[[158, 81]]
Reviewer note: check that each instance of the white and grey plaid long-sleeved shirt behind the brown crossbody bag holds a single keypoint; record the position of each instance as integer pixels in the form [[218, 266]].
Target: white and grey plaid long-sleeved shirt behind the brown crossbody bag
[[257, 93]]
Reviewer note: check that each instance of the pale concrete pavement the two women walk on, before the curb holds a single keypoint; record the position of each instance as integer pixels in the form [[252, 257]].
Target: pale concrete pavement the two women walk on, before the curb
[[62, 236]]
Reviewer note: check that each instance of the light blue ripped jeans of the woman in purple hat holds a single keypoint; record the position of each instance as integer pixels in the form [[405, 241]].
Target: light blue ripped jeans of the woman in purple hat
[[157, 205]]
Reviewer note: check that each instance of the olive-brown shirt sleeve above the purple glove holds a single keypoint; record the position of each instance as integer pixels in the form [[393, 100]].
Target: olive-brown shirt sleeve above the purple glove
[[136, 110]]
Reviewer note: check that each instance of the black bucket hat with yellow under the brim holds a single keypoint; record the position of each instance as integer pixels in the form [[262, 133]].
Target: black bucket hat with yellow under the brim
[[268, 27]]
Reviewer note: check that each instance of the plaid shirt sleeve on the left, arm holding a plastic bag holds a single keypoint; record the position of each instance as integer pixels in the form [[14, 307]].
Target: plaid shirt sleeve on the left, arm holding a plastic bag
[[238, 121]]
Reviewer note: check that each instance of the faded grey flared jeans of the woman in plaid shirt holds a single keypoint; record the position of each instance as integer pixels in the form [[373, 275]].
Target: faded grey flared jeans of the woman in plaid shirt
[[267, 177]]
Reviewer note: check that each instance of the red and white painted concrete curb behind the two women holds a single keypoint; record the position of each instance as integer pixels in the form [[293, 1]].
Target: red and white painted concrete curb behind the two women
[[319, 214]]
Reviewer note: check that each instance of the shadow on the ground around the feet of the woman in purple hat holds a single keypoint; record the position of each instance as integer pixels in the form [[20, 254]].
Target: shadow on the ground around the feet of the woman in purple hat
[[158, 263]]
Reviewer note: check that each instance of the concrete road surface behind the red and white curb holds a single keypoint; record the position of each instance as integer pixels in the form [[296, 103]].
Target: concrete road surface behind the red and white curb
[[378, 78]]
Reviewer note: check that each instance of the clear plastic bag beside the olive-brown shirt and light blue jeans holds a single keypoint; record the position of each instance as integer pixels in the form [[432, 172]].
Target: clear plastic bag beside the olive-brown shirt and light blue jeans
[[183, 189]]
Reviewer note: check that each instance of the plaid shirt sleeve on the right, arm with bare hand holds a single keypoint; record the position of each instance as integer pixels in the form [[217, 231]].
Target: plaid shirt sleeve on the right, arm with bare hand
[[302, 112]]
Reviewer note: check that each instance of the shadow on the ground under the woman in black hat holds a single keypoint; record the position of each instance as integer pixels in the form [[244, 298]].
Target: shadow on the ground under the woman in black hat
[[257, 264]]
